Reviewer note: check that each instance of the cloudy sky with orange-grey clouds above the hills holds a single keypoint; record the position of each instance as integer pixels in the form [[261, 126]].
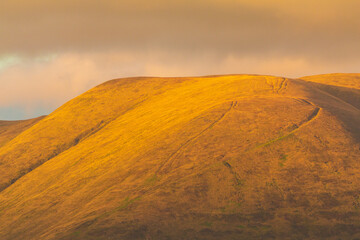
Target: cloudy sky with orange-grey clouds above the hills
[[52, 51]]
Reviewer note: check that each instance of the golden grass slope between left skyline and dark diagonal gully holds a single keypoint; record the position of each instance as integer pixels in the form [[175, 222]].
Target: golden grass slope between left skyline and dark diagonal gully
[[73, 122]]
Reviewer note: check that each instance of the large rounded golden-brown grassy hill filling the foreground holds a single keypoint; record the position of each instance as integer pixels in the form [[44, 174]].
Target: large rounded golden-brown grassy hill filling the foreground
[[227, 157]]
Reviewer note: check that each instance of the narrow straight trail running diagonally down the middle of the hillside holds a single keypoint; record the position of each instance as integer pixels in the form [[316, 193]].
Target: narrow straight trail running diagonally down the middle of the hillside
[[168, 163]]
